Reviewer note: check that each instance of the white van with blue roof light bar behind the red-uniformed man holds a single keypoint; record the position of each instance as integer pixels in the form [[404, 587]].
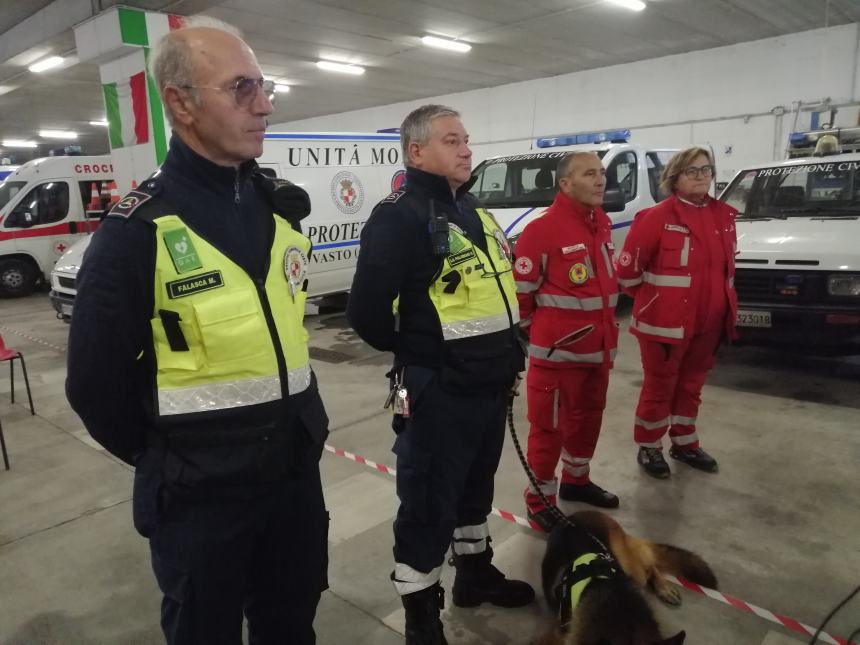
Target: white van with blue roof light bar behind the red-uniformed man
[[518, 188]]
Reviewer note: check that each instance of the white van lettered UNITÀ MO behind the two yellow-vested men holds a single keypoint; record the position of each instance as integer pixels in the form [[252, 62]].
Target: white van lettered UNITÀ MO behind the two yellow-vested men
[[344, 173]]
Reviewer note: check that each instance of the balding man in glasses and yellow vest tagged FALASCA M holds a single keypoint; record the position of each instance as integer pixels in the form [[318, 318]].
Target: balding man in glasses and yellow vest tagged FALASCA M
[[188, 359]]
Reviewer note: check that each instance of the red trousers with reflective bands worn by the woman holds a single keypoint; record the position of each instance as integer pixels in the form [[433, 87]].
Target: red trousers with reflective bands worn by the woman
[[671, 391]]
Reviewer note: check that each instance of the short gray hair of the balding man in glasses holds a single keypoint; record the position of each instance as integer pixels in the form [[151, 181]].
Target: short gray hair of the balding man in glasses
[[170, 60]]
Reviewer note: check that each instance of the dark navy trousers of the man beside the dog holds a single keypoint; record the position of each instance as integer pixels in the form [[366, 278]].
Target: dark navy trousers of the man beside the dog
[[447, 451]]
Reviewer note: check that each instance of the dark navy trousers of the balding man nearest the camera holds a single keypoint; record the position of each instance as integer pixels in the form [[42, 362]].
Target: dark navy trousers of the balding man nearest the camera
[[215, 560]]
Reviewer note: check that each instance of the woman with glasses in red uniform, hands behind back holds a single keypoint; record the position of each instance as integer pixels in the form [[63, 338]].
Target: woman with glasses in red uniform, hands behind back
[[678, 264]]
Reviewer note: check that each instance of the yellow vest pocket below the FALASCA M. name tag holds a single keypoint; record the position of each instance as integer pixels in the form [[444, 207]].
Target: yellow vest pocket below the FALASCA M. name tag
[[232, 328]]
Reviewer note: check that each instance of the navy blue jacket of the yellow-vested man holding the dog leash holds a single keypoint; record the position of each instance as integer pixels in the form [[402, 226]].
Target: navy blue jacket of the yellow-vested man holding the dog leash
[[397, 259]]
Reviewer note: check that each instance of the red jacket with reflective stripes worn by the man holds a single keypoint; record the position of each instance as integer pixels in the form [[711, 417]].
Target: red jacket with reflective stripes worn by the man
[[567, 287]]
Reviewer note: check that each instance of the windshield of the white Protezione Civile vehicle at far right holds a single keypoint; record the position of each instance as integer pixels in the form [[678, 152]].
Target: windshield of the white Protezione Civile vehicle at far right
[[820, 189]]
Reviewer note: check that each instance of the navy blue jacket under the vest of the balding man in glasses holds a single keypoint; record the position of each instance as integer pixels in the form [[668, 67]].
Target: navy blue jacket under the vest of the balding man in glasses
[[110, 361]]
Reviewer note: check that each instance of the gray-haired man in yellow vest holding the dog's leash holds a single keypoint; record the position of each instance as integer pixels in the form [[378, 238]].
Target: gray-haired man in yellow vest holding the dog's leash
[[434, 286]]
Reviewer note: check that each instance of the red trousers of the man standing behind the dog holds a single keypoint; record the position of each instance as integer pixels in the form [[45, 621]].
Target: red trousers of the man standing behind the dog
[[565, 410]]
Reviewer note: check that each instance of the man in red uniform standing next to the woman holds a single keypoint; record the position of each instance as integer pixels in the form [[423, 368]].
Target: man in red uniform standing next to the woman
[[567, 291]]
